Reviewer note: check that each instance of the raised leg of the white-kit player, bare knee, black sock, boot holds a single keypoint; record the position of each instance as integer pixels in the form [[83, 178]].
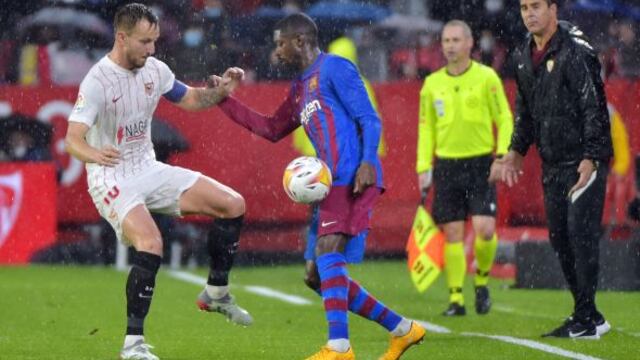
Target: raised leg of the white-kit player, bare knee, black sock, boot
[[211, 198]]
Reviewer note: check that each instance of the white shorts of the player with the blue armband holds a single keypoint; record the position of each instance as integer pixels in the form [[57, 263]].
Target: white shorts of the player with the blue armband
[[158, 187]]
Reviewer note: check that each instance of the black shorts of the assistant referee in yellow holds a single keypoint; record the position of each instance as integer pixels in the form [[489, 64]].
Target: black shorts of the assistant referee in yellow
[[462, 189]]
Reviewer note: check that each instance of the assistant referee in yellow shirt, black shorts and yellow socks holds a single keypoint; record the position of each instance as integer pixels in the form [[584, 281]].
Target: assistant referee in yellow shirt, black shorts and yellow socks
[[459, 106]]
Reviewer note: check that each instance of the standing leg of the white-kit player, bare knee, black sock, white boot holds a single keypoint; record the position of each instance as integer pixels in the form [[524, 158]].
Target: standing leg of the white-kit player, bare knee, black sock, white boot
[[141, 231]]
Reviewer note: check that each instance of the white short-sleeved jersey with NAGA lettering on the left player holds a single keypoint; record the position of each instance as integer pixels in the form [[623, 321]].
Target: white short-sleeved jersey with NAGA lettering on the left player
[[118, 104]]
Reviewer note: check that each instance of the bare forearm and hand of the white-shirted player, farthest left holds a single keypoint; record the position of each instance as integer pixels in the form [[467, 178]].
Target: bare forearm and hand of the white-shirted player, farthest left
[[77, 146]]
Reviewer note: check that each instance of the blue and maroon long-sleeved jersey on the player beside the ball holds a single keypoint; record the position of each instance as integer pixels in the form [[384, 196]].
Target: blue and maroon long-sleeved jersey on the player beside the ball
[[330, 101]]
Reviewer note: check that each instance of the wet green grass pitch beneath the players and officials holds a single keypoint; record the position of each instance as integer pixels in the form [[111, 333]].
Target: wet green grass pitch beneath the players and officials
[[58, 312]]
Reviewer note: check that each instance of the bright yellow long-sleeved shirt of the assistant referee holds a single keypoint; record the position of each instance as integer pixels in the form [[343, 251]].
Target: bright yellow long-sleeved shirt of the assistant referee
[[457, 115]]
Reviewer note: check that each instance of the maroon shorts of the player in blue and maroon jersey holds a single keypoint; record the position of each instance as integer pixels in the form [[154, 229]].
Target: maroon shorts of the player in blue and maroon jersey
[[343, 212]]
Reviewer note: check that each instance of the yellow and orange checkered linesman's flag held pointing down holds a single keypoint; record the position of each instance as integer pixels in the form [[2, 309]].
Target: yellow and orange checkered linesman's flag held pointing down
[[425, 250]]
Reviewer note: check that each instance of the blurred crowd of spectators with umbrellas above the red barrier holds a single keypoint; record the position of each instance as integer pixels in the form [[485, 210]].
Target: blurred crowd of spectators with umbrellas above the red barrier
[[207, 36]]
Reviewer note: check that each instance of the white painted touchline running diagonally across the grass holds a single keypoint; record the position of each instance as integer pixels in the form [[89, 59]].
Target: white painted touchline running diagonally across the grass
[[297, 300]]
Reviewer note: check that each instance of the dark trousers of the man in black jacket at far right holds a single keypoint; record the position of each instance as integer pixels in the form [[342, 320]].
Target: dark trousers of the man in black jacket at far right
[[575, 228]]
